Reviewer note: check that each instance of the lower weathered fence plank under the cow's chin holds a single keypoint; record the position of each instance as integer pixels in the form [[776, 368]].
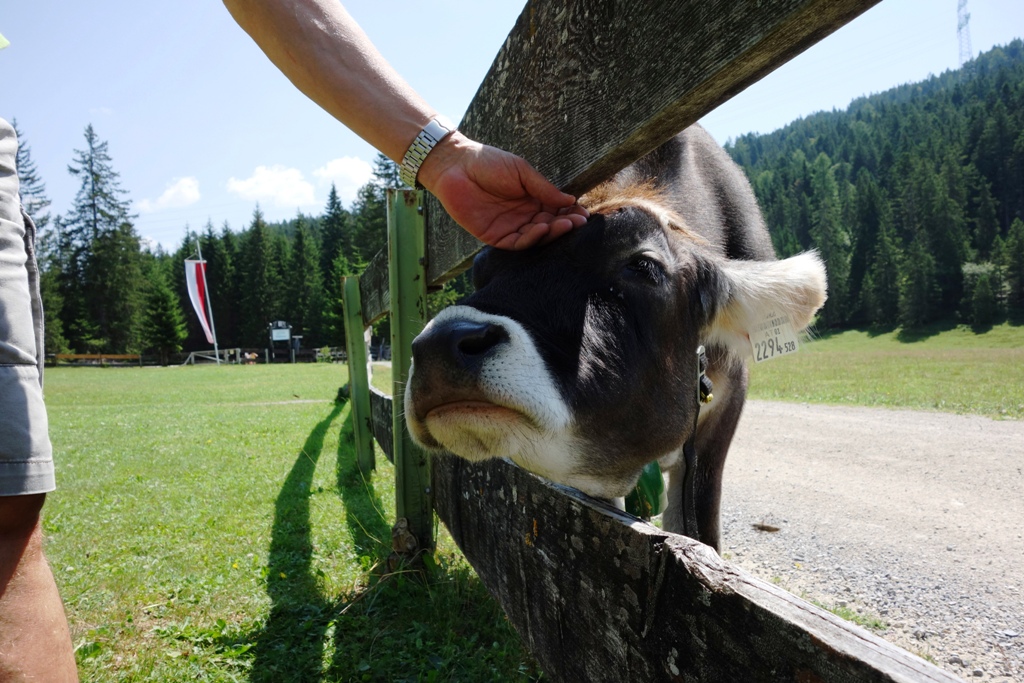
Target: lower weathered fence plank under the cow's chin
[[601, 596]]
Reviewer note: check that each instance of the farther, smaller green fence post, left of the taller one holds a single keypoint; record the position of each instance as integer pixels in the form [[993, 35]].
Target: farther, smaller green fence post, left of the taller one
[[359, 382]]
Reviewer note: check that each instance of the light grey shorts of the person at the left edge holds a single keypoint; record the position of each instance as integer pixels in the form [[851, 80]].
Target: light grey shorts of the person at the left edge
[[26, 456]]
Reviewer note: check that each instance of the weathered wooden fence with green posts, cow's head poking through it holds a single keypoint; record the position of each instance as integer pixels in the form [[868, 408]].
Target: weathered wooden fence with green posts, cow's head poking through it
[[583, 89]]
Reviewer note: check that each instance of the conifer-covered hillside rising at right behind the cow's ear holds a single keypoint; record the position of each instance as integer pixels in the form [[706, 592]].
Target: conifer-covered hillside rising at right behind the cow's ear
[[915, 197]]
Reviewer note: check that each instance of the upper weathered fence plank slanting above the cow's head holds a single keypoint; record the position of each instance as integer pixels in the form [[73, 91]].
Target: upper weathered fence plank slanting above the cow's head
[[582, 89]]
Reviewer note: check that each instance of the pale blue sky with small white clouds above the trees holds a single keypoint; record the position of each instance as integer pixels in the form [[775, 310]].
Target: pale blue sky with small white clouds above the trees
[[201, 126]]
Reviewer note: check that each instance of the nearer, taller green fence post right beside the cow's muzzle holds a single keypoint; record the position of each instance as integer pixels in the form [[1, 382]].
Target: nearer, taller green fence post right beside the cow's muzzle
[[407, 266]]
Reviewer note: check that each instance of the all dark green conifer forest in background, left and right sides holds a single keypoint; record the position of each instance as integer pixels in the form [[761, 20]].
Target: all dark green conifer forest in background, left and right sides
[[914, 197]]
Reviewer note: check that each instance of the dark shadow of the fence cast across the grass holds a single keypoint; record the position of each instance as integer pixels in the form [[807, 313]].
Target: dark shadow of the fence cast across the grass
[[404, 627]]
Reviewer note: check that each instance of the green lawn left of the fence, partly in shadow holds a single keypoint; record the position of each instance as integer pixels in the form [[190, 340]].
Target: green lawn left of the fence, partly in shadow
[[210, 525]]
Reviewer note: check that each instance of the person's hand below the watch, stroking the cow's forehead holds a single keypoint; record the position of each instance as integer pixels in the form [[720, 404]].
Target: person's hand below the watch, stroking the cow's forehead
[[498, 197]]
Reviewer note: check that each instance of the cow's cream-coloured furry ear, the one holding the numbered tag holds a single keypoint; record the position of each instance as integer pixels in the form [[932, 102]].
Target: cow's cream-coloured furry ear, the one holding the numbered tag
[[752, 292]]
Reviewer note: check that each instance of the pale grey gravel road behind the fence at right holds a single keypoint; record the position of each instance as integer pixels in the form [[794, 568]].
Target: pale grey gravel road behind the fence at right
[[911, 518]]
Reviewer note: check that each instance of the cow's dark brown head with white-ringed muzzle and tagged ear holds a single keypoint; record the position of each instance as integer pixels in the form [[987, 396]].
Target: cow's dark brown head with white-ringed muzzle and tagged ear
[[578, 360]]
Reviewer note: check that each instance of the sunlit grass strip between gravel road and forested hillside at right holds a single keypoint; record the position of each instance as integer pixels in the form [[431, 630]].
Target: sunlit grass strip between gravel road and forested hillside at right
[[950, 369]]
